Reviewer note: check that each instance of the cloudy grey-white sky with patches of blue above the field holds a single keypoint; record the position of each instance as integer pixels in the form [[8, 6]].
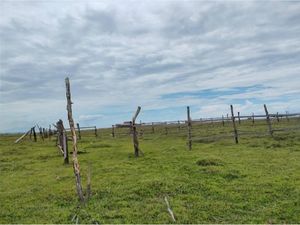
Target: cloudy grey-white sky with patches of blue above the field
[[160, 55]]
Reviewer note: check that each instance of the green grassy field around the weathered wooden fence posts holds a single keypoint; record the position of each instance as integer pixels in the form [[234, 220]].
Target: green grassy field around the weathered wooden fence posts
[[255, 181]]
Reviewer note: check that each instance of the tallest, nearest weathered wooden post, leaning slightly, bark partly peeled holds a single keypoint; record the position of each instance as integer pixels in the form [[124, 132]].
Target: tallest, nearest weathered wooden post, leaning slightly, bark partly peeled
[[74, 139]]
